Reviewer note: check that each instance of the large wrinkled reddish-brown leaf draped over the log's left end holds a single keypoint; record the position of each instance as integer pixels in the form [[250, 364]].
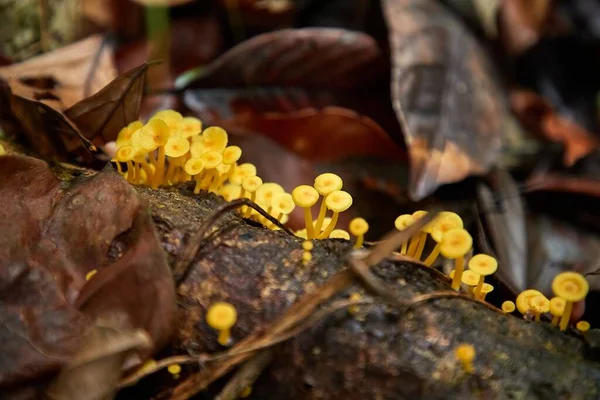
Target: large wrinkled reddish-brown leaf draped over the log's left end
[[54, 234]]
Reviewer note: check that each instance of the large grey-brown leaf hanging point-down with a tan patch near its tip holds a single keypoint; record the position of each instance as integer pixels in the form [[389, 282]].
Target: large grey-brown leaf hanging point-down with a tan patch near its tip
[[445, 95]]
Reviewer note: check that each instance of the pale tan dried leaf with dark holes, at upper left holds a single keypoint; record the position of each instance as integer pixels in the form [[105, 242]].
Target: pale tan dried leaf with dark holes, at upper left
[[77, 71]]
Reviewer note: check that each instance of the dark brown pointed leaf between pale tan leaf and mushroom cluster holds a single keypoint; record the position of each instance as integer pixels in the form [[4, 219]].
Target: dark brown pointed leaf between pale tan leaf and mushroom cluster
[[101, 116]]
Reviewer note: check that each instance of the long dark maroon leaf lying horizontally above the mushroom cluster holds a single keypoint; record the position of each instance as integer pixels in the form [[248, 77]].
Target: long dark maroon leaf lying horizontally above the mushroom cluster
[[317, 57]]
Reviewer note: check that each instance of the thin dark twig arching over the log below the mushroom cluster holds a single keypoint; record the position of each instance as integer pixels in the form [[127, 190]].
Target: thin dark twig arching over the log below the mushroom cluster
[[182, 265]]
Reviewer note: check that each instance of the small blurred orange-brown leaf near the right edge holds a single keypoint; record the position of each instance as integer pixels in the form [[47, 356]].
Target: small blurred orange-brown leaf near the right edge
[[538, 116]]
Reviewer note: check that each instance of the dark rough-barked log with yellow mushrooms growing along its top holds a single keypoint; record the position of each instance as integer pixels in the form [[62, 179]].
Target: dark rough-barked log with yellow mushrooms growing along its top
[[380, 352]]
